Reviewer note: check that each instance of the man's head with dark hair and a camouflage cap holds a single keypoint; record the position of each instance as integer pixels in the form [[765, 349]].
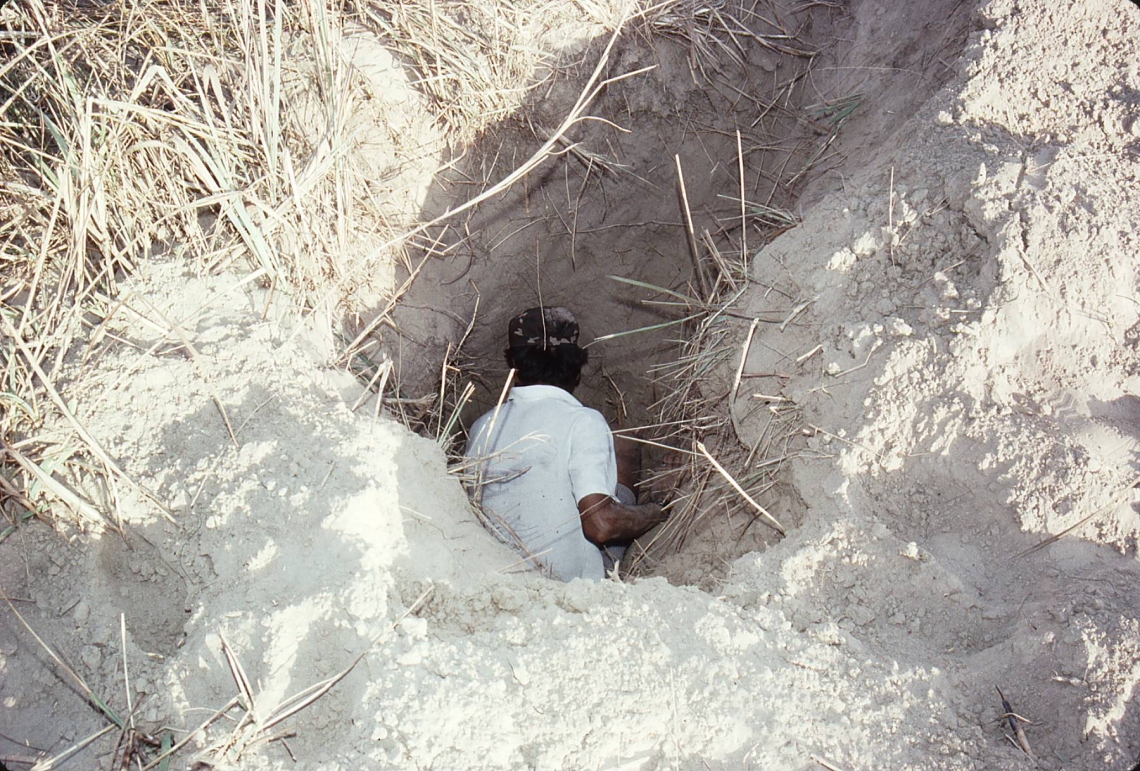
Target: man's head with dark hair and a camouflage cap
[[543, 348]]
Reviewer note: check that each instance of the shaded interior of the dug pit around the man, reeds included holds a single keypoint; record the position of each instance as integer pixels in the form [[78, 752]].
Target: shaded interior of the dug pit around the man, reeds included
[[702, 147]]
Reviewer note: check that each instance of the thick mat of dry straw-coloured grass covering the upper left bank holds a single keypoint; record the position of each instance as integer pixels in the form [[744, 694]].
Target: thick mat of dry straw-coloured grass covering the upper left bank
[[222, 134]]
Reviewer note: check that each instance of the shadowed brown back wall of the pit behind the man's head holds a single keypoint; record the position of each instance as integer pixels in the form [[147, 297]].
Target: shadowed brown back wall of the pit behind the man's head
[[608, 204]]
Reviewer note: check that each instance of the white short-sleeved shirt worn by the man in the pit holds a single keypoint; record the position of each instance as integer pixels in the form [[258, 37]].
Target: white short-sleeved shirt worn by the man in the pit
[[547, 455]]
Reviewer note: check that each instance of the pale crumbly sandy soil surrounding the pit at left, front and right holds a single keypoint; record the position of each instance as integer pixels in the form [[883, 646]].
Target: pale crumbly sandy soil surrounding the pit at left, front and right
[[967, 371]]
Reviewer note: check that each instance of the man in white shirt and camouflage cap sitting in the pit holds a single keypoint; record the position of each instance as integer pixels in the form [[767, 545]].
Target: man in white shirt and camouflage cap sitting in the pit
[[553, 478]]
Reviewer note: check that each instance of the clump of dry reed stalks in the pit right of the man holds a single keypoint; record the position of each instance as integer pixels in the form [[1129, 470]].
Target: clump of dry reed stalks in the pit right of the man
[[697, 403]]
